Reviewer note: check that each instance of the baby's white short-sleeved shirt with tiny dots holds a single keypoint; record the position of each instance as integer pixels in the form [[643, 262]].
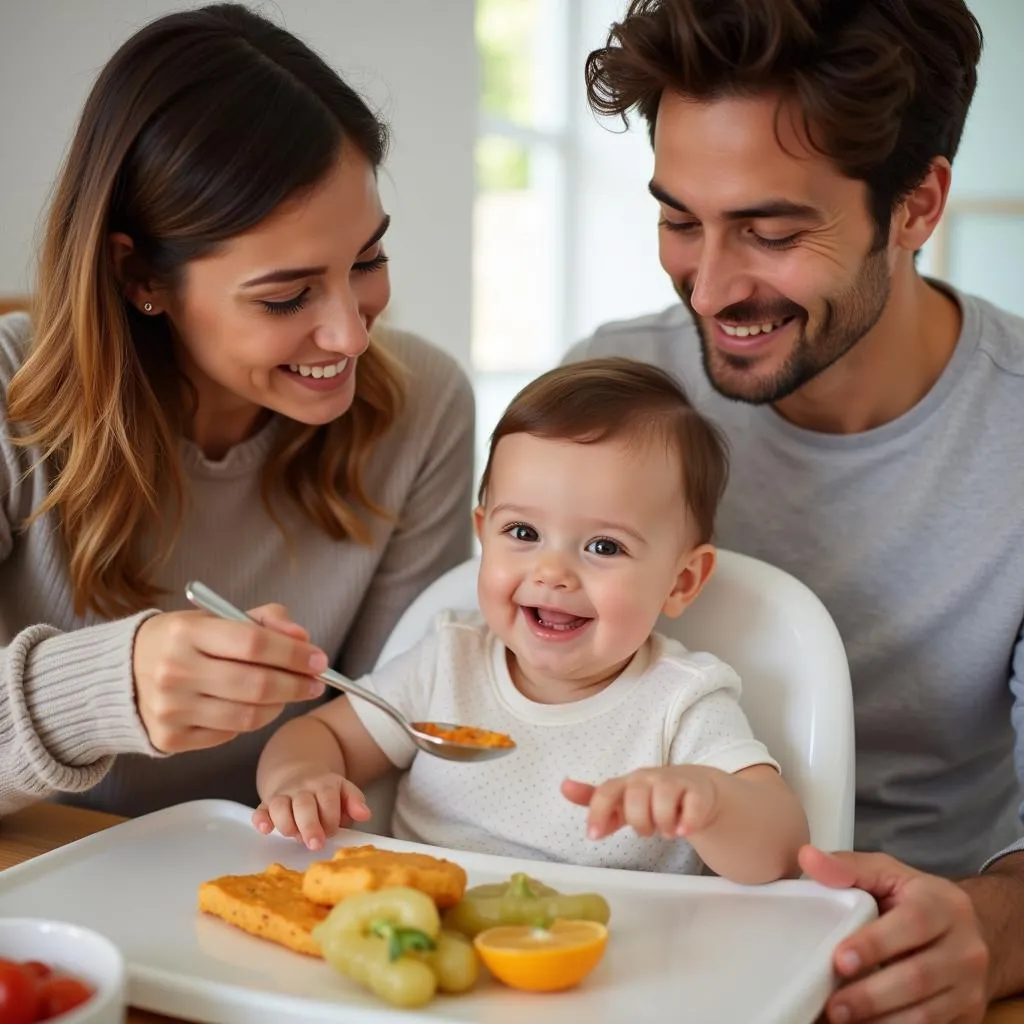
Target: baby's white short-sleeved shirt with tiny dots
[[670, 706]]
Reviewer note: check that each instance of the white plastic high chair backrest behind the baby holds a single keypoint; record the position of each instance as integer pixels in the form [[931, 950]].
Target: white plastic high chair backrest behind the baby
[[781, 639]]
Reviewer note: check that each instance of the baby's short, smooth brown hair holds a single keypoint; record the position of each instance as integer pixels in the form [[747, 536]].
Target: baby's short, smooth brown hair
[[610, 399]]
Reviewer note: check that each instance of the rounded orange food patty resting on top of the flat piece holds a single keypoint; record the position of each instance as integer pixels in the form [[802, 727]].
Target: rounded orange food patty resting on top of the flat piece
[[362, 869]]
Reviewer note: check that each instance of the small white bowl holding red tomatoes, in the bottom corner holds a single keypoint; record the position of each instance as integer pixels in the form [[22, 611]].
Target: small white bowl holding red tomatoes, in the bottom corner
[[76, 952]]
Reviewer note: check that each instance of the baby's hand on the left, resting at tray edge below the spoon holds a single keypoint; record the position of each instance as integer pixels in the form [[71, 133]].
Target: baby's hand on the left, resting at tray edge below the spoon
[[312, 808]]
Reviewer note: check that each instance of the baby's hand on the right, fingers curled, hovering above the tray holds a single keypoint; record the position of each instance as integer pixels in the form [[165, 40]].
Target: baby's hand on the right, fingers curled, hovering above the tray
[[678, 800]]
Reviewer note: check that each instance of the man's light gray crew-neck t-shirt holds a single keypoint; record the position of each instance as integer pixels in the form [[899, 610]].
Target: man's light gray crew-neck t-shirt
[[913, 535]]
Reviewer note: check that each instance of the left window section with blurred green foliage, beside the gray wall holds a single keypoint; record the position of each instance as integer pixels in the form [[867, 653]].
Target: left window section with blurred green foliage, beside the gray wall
[[521, 208]]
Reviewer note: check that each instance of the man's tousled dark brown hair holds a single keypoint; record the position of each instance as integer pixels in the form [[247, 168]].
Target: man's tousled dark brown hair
[[884, 87]]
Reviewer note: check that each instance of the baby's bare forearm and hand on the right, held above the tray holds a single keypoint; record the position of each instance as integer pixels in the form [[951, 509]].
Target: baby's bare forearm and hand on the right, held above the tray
[[747, 827]]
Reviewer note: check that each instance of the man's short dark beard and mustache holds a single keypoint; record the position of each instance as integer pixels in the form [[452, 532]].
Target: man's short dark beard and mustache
[[846, 320]]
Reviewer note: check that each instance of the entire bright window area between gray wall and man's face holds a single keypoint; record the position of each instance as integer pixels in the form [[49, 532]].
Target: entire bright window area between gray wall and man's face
[[565, 233]]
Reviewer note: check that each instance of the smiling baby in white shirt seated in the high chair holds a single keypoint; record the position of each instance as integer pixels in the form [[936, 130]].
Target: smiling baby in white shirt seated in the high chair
[[595, 517]]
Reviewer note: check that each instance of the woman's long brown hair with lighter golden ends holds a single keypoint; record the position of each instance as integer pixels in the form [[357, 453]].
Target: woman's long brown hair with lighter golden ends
[[200, 126]]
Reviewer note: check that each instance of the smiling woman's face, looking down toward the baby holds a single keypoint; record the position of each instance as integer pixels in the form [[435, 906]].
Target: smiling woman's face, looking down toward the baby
[[276, 319]]
